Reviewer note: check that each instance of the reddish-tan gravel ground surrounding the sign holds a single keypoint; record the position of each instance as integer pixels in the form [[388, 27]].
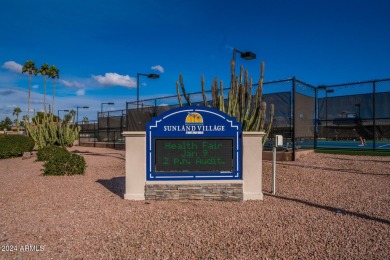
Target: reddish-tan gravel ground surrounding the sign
[[326, 207]]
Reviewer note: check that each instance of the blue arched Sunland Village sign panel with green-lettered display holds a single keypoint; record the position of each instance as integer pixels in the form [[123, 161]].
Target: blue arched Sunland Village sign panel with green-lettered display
[[194, 143]]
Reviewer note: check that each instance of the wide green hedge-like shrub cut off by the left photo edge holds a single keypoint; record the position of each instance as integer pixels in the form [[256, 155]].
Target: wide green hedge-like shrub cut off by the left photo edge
[[15, 145]]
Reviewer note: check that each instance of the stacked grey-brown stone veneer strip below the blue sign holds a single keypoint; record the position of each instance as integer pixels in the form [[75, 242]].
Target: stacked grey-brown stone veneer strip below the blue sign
[[199, 191]]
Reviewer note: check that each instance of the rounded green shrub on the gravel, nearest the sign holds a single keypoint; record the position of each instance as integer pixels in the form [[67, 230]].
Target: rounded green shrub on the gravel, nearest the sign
[[65, 164]]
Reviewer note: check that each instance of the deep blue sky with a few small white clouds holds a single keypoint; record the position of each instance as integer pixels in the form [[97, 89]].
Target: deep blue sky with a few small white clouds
[[100, 46]]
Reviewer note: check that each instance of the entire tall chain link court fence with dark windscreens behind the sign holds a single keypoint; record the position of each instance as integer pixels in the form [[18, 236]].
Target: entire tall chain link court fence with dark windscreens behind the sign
[[308, 117]]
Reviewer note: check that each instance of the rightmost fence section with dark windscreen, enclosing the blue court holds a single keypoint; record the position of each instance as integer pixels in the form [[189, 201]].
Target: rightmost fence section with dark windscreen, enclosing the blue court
[[354, 115]]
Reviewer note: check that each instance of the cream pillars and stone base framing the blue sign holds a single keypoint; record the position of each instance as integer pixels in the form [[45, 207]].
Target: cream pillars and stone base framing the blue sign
[[137, 188]]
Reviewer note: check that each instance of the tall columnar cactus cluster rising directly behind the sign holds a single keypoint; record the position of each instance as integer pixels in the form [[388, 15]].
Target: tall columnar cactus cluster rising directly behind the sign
[[248, 109]]
